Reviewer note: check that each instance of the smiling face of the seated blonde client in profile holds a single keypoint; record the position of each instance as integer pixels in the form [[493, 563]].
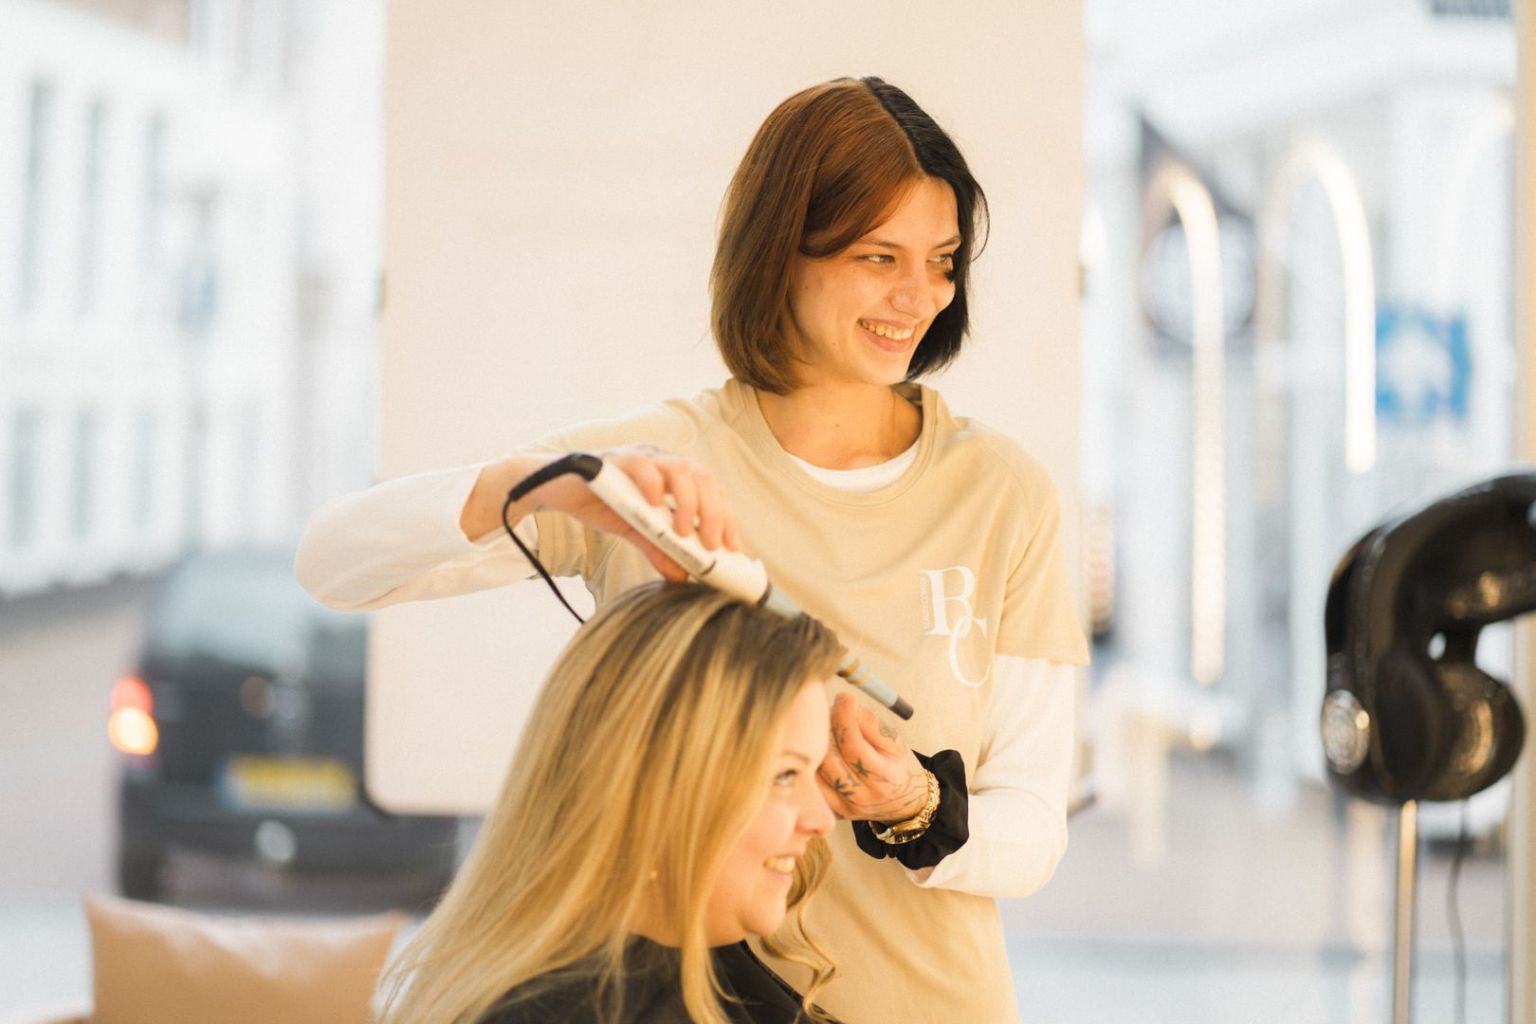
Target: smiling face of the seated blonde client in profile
[[750, 896]]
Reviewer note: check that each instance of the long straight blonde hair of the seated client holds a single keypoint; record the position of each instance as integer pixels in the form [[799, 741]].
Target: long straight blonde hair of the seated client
[[643, 759]]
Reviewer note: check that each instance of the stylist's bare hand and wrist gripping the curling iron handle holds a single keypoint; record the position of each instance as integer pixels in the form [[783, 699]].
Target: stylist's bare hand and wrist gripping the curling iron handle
[[700, 503]]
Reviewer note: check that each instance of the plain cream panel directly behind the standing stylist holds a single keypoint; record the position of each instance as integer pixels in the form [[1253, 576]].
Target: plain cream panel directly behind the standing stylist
[[552, 188]]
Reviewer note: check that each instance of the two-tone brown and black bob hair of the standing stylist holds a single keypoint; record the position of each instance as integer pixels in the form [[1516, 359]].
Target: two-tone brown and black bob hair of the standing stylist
[[829, 167]]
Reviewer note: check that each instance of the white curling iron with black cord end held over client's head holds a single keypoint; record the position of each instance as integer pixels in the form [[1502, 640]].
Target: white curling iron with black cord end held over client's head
[[729, 572]]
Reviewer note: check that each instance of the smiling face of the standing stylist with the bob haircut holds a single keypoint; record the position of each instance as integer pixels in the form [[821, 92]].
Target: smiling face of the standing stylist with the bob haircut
[[862, 312]]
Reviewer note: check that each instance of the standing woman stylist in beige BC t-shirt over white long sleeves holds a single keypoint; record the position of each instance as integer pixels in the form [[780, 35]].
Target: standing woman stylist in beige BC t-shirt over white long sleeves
[[927, 541]]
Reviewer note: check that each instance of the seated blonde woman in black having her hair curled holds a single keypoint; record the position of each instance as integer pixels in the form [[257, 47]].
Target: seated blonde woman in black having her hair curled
[[661, 808]]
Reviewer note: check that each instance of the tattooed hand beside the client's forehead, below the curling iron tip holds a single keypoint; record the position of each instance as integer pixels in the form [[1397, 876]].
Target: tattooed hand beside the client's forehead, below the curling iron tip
[[869, 775]]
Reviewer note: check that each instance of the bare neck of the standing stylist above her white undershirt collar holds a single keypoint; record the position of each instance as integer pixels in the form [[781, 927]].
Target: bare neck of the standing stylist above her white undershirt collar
[[842, 428]]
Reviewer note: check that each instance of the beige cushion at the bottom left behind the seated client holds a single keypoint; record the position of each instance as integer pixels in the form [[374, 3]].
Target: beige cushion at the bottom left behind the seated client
[[162, 966]]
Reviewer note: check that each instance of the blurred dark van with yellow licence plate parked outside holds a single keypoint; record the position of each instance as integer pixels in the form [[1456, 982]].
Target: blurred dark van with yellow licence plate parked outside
[[240, 733]]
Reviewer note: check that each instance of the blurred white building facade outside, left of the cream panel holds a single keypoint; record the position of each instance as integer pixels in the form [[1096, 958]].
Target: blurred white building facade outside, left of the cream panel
[[188, 276]]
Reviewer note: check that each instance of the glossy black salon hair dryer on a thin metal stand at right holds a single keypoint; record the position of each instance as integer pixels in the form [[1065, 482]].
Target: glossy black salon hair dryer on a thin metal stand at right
[[1409, 715]]
